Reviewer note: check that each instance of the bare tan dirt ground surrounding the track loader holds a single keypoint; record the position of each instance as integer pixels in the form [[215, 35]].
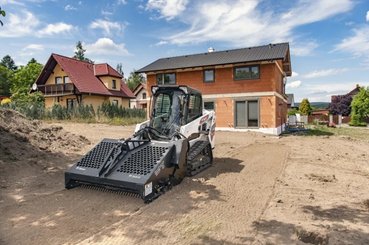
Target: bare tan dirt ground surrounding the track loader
[[260, 190]]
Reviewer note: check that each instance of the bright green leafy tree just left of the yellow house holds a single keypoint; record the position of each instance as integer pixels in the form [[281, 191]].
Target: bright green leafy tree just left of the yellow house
[[24, 77]]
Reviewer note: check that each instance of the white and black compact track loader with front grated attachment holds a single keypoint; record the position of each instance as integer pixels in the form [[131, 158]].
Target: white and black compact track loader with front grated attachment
[[176, 142]]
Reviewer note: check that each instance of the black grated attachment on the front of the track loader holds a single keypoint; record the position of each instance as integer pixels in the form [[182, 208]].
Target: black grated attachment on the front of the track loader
[[146, 168]]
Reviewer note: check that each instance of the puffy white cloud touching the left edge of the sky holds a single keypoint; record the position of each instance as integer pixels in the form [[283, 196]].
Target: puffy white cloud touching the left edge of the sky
[[19, 25]]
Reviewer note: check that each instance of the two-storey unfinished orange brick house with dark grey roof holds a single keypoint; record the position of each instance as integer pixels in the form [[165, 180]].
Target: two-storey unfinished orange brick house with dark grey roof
[[245, 87]]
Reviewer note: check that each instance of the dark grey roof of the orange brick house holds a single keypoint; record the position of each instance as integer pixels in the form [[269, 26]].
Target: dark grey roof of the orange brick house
[[260, 53]]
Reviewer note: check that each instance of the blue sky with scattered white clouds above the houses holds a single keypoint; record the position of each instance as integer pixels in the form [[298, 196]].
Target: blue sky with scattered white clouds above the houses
[[329, 39]]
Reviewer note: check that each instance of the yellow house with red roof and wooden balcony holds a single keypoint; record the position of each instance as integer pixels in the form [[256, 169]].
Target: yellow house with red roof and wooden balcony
[[70, 82]]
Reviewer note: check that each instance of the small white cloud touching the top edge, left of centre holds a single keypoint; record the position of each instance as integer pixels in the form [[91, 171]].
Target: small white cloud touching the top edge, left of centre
[[168, 9]]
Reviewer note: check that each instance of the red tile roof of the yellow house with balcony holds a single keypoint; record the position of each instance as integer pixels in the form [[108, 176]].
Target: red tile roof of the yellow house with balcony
[[82, 74]]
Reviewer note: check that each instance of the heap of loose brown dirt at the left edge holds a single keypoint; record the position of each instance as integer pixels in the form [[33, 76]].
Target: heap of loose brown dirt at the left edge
[[18, 134]]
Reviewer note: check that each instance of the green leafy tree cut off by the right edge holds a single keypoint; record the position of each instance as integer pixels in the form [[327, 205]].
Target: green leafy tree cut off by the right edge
[[360, 107]]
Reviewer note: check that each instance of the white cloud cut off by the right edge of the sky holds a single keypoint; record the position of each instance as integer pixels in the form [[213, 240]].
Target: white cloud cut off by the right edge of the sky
[[357, 44]]
